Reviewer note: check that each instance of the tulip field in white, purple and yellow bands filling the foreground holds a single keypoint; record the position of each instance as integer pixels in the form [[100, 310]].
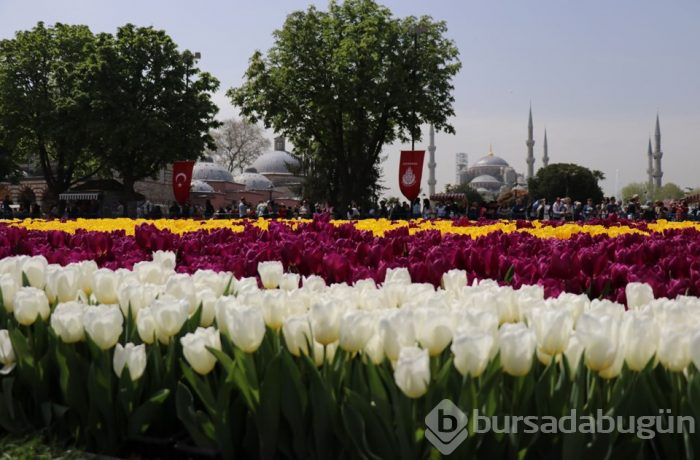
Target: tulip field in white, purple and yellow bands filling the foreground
[[322, 339]]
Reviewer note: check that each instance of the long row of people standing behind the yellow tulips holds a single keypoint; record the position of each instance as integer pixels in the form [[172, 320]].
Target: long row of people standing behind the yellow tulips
[[562, 208]]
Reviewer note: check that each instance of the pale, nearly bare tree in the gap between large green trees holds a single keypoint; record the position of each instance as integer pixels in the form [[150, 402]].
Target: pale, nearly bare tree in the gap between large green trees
[[238, 143]]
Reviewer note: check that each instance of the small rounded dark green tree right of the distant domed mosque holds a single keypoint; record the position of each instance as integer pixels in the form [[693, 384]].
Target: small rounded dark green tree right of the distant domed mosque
[[566, 180]]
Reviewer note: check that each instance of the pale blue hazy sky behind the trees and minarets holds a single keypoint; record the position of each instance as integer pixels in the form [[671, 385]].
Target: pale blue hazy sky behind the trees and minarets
[[596, 73]]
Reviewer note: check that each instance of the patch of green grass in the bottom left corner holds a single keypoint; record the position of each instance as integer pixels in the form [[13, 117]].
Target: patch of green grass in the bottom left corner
[[35, 447]]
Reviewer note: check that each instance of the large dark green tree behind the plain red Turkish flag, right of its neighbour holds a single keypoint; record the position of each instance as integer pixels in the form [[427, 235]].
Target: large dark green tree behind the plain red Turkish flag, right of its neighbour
[[154, 105]]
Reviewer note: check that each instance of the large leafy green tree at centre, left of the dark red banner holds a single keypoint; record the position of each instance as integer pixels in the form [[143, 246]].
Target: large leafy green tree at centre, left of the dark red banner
[[342, 83]]
